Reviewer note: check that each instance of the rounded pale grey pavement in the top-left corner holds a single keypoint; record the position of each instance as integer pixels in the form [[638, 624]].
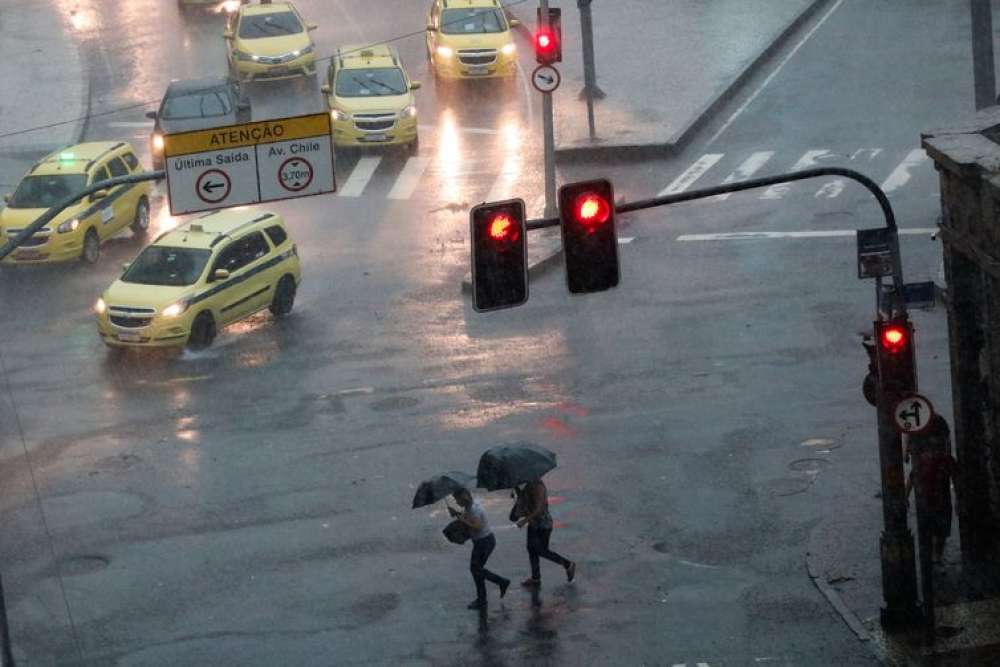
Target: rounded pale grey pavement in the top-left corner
[[45, 72]]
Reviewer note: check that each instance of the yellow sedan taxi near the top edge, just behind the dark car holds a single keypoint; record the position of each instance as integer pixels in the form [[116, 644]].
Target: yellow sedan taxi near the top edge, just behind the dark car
[[269, 41]]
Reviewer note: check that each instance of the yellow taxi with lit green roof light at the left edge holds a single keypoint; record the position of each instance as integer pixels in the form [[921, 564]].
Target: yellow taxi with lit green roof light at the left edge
[[77, 232]]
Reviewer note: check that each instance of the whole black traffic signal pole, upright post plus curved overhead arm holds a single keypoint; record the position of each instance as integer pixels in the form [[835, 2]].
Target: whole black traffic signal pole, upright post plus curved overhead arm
[[899, 582]]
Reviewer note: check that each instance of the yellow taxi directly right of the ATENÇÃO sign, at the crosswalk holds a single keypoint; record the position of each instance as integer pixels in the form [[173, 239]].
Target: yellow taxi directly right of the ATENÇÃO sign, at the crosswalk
[[370, 97]]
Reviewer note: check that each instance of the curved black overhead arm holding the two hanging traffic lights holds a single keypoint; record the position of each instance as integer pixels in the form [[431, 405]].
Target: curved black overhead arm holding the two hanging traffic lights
[[767, 181]]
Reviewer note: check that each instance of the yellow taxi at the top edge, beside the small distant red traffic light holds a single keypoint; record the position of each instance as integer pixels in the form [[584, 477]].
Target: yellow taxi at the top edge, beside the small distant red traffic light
[[471, 39]]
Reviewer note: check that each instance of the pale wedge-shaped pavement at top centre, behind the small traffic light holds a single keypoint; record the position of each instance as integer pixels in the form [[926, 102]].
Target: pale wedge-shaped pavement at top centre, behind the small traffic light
[[664, 66]]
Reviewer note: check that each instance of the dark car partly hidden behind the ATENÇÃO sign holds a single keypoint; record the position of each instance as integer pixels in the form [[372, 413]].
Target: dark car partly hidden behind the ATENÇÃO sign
[[195, 104]]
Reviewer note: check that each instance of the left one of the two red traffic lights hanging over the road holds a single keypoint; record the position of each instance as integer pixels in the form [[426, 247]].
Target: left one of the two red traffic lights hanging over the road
[[499, 255]]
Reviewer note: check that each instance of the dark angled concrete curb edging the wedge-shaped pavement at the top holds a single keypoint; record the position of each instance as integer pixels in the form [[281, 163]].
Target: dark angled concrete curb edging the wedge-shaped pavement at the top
[[680, 139]]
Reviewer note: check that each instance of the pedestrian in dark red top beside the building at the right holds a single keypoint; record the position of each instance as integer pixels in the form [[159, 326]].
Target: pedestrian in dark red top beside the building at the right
[[931, 473]]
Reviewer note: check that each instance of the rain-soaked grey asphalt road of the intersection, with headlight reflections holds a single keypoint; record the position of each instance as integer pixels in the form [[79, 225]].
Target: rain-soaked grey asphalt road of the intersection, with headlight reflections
[[249, 504]]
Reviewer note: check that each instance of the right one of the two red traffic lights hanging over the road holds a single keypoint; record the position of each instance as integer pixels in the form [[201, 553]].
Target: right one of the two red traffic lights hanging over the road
[[590, 242]]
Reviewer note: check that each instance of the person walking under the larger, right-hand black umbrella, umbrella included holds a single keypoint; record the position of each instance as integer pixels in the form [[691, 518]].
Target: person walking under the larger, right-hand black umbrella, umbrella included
[[521, 467]]
